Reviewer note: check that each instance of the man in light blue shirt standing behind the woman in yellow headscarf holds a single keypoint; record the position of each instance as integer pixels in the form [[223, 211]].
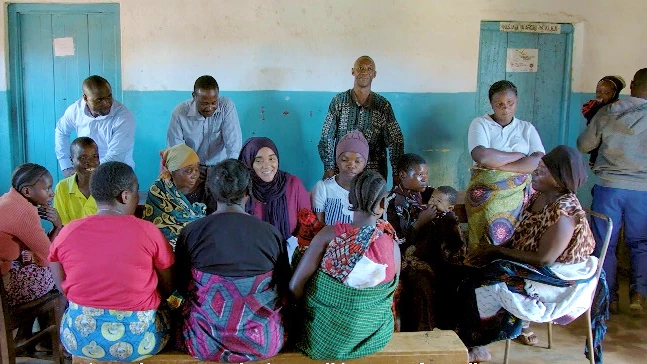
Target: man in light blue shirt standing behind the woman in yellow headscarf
[[208, 124]]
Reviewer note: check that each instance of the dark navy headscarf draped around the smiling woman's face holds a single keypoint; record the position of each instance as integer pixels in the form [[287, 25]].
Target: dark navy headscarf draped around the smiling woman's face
[[271, 194]]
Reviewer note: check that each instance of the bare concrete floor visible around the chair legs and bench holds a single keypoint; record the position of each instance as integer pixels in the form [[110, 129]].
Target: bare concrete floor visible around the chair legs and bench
[[625, 342]]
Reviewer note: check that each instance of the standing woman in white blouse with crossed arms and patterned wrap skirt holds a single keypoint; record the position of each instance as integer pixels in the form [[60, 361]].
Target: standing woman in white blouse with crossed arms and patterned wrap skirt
[[505, 151]]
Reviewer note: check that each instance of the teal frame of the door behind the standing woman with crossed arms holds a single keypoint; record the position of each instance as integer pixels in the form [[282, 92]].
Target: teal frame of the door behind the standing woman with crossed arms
[[568, 30]]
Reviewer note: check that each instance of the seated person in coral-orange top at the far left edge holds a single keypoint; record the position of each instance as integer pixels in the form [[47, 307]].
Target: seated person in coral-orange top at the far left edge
[[24, 245]]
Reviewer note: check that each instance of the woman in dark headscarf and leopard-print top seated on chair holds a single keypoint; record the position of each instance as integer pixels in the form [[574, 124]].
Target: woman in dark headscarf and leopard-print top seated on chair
[[544, 273]]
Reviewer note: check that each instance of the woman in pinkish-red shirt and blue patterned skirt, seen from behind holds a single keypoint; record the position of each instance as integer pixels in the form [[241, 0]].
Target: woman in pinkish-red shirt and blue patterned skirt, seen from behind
[[114, 270]]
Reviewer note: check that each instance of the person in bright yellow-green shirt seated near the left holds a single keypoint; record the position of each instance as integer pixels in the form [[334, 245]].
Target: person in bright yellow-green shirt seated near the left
[[72, 199]]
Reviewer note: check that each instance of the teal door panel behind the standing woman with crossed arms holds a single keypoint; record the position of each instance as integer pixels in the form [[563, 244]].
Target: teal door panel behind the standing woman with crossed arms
[[543, 94]]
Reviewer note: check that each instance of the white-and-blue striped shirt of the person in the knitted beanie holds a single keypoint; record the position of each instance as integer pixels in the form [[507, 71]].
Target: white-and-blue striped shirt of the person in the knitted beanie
[[331, 199]]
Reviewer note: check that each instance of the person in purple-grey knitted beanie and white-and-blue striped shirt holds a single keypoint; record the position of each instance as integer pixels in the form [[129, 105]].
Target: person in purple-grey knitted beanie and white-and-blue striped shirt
[[330, 196]]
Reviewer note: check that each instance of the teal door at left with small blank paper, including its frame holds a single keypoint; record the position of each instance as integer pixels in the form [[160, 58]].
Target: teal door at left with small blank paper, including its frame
[[53, 48]]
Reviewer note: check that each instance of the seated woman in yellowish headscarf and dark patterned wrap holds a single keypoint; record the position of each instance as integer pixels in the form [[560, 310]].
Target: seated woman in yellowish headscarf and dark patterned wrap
[[175, 199]]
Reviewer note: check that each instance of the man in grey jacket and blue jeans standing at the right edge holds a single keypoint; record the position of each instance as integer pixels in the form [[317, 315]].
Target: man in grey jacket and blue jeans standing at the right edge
[[620, 131]]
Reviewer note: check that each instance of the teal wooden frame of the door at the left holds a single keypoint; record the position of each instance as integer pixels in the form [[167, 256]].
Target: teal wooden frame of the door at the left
[[17, 136]]
